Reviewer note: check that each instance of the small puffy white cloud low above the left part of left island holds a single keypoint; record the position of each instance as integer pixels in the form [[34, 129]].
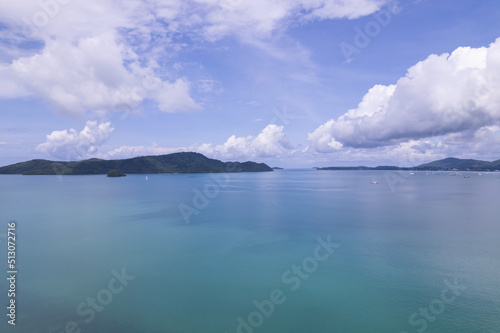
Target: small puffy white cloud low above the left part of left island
[[73, 145]]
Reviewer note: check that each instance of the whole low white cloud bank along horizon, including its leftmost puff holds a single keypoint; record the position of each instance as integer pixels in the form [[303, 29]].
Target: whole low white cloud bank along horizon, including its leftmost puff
[[273, 144]]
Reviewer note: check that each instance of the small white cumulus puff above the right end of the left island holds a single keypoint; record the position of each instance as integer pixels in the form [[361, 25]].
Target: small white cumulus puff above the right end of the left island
[[271, 142]]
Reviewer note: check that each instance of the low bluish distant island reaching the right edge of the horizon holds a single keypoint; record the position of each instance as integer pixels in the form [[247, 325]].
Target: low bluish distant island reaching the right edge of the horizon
[[447, 164]]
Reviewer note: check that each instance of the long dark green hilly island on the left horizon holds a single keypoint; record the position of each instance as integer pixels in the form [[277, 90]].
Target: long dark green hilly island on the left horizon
[[185, 162]]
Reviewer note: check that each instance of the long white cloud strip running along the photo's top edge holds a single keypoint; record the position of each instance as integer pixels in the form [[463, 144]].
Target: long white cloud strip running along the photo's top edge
[[212, 19]]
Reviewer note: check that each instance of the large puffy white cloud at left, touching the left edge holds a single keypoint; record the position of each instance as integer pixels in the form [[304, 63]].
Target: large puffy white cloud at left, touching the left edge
[[90, 75]]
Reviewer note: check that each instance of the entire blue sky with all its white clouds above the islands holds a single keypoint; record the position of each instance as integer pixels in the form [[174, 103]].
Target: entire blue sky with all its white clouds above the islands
[[291, 83]]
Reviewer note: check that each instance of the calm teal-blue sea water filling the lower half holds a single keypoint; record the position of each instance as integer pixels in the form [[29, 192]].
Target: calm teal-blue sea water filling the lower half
[[397, 245]]
